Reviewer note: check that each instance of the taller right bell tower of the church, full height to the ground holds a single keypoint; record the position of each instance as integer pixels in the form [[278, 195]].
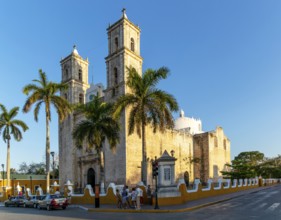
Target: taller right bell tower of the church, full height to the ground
[[123, 52]]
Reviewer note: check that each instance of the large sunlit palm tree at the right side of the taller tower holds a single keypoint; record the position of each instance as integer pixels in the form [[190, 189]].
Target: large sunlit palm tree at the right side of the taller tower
[[148, 105]]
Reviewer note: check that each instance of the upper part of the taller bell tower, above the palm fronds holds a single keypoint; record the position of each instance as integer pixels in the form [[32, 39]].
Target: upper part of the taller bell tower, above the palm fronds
[[123, 52]]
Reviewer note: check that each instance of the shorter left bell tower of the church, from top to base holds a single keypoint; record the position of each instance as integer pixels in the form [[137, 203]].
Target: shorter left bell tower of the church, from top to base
[[74, 71]]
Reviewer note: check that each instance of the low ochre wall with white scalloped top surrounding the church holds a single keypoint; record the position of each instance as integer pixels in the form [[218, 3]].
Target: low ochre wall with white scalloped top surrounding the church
[[184, 194]]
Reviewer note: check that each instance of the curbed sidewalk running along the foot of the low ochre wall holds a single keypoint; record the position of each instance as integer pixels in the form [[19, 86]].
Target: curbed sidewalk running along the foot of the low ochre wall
[[189, 206]]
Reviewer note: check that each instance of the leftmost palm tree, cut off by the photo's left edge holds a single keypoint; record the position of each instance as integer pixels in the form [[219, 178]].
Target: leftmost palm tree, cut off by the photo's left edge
[[9, 126]]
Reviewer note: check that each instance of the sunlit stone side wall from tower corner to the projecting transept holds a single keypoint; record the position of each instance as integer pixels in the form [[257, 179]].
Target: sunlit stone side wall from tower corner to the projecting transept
[[156, 144]]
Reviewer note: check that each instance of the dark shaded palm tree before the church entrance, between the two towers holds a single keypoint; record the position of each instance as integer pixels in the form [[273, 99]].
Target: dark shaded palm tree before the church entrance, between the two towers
[[97, 126]]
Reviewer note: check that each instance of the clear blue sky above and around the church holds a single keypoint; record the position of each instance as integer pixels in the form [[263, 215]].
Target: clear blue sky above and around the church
[[224, 57]]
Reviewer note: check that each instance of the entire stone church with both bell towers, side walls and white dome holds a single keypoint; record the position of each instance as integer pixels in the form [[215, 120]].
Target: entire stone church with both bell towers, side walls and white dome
[[123, 166]]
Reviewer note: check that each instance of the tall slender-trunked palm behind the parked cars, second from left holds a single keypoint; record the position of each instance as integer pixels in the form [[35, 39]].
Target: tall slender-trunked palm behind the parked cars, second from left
[[45, 92]]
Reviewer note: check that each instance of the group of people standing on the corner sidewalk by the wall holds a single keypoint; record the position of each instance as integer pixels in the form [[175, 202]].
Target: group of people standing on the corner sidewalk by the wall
[[127, 199]]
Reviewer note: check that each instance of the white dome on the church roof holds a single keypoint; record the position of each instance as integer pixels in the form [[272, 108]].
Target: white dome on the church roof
[[192, 125]]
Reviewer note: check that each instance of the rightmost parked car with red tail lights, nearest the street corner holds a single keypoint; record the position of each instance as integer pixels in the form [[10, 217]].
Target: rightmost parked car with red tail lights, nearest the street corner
[[53, 201]]
